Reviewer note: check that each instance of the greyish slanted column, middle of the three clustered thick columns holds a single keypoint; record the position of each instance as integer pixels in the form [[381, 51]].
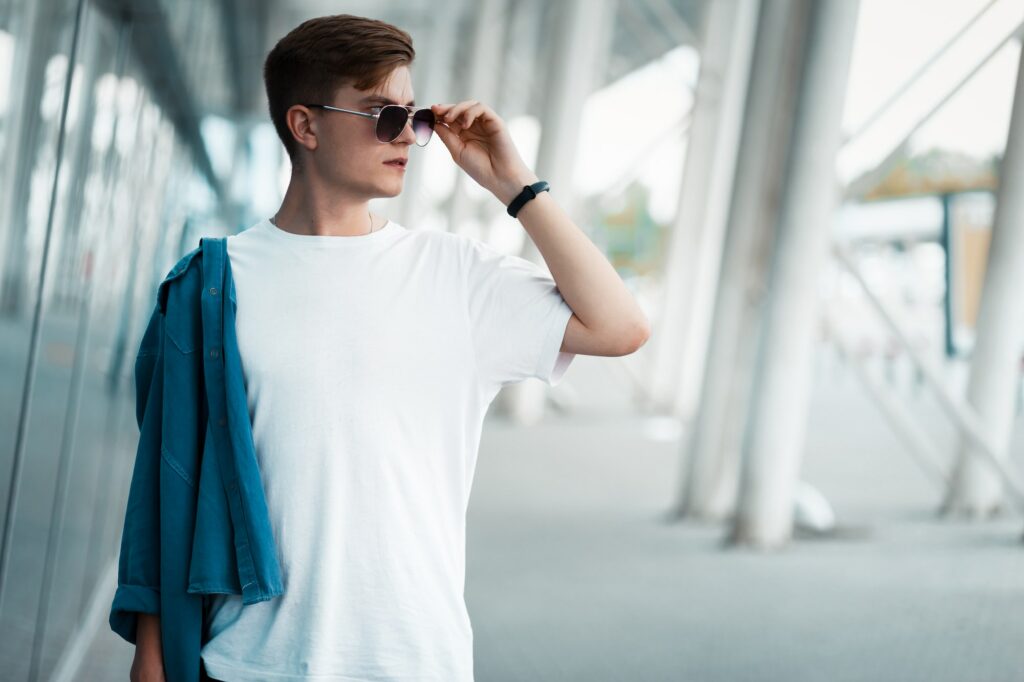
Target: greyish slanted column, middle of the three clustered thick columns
[[714, 440]]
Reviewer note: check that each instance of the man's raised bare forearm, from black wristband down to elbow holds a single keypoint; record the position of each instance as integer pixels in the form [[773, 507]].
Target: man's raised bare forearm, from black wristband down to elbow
[[586, 280]]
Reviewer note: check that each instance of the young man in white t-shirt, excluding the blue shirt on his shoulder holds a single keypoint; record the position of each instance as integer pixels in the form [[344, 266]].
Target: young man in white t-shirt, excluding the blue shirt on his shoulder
[[371, 354]]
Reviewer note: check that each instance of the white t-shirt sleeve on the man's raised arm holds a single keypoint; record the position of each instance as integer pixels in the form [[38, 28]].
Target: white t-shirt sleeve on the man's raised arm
[[518, 318]]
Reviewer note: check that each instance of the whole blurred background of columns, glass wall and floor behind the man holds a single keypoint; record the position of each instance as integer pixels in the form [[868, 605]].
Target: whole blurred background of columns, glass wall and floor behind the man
[[812, 471]]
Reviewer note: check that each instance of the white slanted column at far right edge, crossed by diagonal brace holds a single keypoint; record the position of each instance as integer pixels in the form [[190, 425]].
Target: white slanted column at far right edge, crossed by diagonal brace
[[996, 364]]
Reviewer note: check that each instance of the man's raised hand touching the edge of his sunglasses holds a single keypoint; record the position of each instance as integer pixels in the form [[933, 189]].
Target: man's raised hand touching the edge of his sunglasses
[[480, 143]]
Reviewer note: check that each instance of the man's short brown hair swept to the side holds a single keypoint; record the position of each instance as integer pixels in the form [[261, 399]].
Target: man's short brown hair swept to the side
[[324, 54]]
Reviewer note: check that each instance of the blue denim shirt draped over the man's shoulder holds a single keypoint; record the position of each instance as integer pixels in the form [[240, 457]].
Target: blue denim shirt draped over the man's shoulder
[[197, 522]]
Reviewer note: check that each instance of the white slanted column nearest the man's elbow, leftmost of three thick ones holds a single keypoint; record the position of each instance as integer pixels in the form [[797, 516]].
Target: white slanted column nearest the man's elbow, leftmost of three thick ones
[[699, 230]]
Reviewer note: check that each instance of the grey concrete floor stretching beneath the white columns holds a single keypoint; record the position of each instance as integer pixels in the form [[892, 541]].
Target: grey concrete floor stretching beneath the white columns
[[574, 575]]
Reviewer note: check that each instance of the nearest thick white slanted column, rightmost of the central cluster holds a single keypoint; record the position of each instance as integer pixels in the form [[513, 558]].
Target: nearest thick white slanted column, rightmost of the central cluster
[[781, 400]]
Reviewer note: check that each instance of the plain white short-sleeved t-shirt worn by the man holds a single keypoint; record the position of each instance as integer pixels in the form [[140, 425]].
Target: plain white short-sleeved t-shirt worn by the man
[[370, 363]]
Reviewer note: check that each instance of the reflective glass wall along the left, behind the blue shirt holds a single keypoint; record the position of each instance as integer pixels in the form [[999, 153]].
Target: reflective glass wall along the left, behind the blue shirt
[[102, 188]]
